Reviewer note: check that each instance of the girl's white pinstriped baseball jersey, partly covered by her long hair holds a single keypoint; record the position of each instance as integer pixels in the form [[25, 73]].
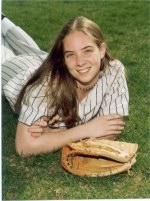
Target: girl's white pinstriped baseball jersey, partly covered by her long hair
[[109, 96]]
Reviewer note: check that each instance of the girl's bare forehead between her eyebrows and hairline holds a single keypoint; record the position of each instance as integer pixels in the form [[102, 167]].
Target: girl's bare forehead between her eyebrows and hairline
[[77, 40]]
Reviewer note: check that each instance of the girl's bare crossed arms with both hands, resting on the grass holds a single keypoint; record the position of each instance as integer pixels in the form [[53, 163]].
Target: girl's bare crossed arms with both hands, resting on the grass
[[38, 138]]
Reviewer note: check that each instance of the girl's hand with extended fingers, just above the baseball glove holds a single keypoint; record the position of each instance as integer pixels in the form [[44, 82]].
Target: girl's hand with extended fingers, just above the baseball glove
[[108, 125]]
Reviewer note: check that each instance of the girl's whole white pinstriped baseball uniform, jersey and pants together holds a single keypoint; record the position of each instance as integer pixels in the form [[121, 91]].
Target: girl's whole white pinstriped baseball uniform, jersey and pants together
[[109, 95]]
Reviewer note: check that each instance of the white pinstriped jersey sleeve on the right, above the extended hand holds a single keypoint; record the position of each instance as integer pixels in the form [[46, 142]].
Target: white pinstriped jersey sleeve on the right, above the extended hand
[[116, 99]]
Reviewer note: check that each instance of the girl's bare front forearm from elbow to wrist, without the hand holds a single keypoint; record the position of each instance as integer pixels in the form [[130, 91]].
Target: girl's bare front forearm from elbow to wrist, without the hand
[[48, 142]]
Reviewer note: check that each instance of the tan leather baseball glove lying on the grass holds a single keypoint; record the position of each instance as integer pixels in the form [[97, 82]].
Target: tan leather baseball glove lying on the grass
[[97, 157]]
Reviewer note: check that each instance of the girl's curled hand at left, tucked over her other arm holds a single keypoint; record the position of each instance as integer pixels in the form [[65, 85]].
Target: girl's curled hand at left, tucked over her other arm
[[39, 127]]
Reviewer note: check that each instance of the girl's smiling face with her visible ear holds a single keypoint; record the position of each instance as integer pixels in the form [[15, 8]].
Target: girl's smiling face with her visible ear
[[83, 57]]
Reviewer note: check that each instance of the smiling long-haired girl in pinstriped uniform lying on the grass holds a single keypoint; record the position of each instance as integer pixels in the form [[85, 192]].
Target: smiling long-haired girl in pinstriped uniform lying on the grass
[[76, 91]]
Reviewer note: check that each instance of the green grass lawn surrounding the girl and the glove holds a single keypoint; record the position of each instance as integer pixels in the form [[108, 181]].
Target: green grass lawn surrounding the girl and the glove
[[125, 25]]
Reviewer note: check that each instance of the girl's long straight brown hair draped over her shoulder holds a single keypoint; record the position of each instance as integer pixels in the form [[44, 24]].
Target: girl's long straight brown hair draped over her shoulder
[[61, 90]]
